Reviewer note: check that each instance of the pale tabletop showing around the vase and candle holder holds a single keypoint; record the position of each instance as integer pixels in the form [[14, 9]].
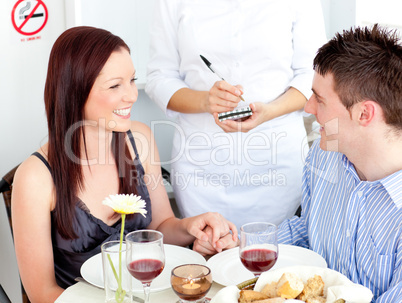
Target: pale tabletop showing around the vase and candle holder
[[85, 292]]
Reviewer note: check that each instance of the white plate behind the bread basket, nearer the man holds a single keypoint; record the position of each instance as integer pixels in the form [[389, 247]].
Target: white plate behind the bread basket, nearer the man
[[227, 268]]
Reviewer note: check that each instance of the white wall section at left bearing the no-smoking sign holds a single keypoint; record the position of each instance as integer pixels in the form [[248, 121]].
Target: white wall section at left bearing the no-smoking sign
[[23, 68]]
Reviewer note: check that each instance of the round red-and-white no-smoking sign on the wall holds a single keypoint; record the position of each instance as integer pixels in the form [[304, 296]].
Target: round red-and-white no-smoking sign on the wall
[[29, 17]]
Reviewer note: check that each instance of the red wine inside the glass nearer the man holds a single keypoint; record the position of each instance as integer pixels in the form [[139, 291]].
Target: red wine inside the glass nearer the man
[[258, 260]]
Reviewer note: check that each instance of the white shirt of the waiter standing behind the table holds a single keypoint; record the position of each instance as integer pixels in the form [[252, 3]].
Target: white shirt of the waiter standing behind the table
[[266, 55]]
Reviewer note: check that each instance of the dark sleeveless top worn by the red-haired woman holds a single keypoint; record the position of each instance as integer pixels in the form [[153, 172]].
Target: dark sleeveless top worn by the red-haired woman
[[92, 232]]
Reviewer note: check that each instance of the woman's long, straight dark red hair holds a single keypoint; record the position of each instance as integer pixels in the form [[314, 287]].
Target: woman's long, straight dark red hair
[[76, 59]]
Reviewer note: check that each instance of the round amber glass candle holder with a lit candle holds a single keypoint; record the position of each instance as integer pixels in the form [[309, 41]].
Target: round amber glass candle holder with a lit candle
[[191, 282]]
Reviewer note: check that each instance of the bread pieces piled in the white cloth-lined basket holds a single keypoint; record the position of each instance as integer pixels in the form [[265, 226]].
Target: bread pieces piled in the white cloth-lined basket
[[289, 286]]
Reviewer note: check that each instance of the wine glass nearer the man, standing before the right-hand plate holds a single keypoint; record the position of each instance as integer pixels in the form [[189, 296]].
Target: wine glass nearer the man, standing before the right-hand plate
[[258, 246]]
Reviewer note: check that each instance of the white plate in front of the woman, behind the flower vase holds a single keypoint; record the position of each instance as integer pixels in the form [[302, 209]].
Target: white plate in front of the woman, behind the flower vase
[[92, 272]]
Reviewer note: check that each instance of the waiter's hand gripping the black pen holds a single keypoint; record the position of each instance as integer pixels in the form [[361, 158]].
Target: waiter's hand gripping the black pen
[[223, 97]]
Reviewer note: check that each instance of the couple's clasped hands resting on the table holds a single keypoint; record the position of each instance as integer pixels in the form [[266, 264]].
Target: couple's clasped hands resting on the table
[[213, 233]]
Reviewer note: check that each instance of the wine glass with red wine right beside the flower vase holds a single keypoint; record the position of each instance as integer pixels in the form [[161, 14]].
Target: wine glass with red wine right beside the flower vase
[[145, 257]]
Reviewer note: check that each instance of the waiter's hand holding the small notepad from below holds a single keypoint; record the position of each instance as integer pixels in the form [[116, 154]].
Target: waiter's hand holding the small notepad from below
[[259, 116]]
